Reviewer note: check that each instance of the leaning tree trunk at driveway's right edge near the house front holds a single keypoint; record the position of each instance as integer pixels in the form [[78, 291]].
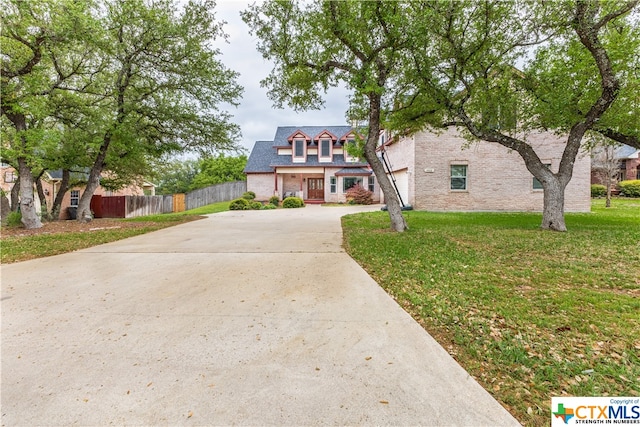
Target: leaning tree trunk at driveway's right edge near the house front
[[398, 223]]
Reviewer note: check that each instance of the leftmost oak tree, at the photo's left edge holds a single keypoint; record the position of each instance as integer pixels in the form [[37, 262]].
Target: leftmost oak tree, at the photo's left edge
[[45, 49]]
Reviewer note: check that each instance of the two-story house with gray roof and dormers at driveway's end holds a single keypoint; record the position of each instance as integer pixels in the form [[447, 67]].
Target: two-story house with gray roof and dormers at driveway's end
[[310, 162]]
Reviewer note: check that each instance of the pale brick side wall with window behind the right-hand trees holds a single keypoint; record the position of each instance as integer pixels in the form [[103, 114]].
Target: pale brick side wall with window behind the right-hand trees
[[497, 179]]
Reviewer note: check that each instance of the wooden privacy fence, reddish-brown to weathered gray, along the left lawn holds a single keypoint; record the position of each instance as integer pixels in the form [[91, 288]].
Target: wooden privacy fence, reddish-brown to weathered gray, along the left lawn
[[133, 206]]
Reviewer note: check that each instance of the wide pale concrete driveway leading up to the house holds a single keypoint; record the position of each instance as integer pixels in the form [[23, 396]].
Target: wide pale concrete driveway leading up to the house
[[244, 318]]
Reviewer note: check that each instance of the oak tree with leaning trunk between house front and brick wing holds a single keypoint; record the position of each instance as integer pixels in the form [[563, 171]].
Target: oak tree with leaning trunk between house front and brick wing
[[319, 45]]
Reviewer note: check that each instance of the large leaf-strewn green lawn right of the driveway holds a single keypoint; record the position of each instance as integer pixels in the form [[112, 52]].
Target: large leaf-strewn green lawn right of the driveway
[[530, 314]]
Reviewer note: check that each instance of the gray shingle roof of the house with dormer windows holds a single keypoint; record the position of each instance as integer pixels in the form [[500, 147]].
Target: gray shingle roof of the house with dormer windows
[[264, 156]]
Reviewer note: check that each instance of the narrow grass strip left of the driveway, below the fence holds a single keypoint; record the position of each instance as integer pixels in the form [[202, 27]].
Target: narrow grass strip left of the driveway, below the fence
[[22, 248]]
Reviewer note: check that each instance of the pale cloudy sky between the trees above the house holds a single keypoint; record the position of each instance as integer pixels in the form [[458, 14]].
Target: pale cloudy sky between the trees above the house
[[257, 117]]
